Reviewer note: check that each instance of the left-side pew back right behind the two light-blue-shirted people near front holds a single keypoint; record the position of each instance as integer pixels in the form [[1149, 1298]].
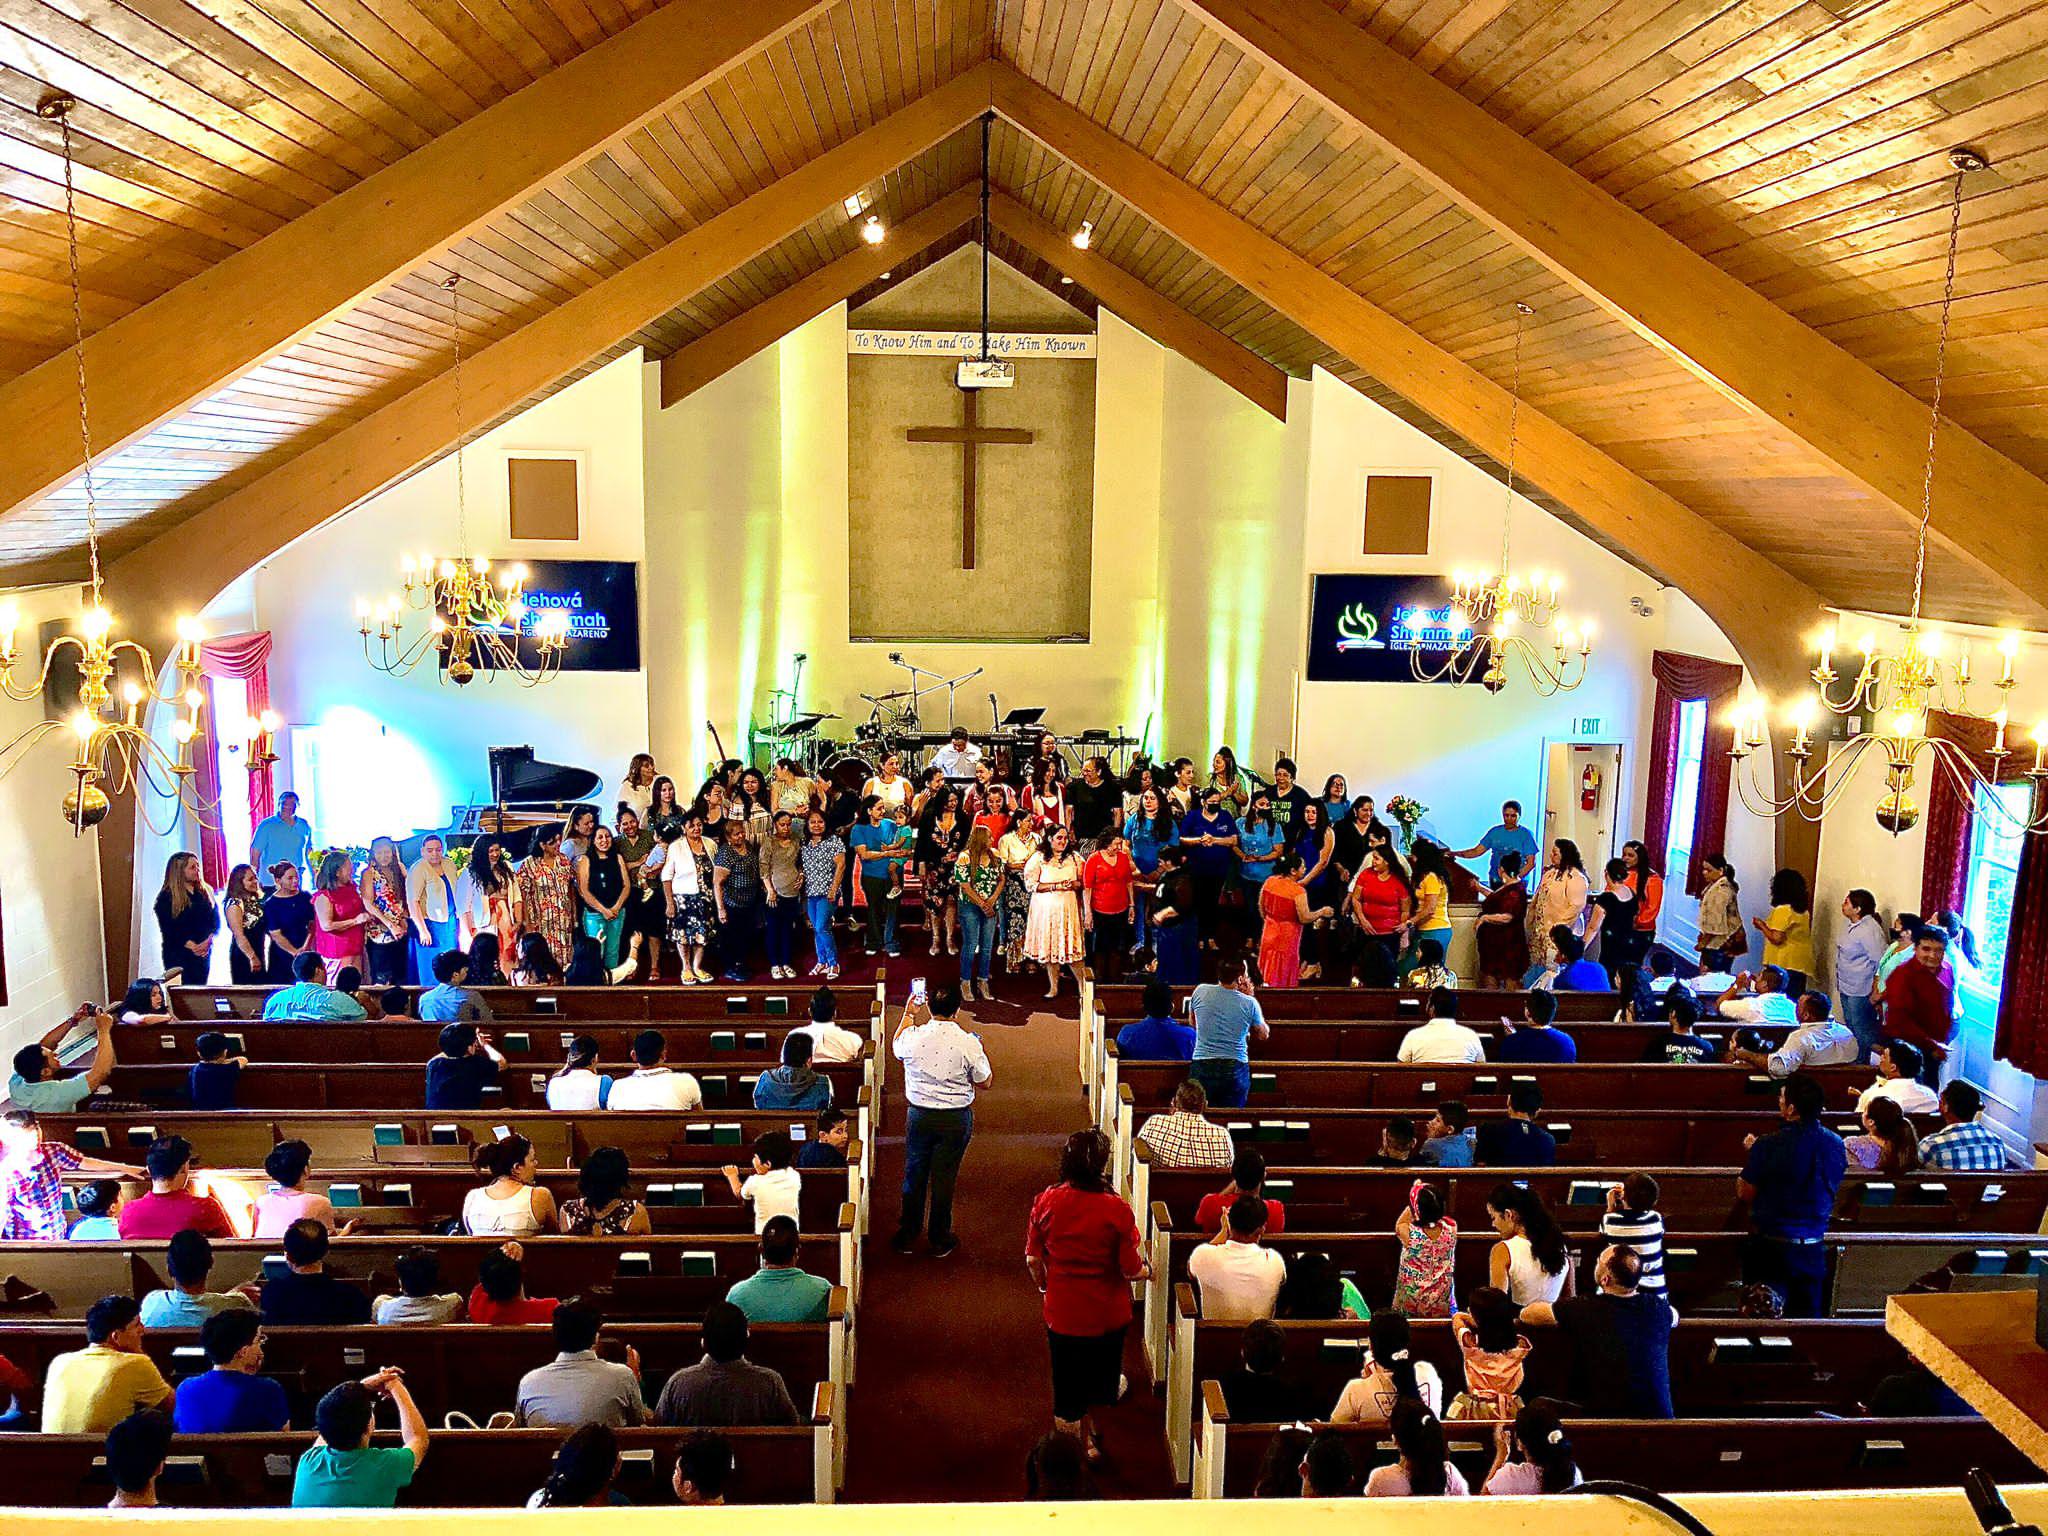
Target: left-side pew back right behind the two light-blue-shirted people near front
[[527, 1043]]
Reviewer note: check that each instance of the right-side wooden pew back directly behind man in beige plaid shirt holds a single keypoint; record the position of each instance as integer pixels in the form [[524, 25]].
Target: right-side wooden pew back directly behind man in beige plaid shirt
[[1691, 1199]]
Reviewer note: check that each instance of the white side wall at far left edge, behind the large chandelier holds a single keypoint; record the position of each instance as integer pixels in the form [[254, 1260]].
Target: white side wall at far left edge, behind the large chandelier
[[50, 890]]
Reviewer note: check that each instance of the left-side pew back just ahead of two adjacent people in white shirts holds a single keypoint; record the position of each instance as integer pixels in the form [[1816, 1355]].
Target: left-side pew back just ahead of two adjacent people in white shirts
[[380, 1086]]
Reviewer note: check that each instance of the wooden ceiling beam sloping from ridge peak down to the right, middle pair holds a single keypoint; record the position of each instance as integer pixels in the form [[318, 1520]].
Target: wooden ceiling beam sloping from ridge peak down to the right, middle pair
[[1760, 607]]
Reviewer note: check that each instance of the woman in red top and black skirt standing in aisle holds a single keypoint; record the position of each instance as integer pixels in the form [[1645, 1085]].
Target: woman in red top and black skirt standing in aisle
[[1082, 1250]]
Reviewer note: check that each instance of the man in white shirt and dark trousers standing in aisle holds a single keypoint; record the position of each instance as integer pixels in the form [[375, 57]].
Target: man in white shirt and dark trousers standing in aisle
[[943, 1066]]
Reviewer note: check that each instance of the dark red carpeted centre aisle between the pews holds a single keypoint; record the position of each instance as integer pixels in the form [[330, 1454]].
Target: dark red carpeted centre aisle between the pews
[[953, 1381]]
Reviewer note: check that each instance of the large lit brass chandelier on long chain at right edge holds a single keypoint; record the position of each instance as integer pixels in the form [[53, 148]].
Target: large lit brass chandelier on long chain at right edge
[[1897, 687]]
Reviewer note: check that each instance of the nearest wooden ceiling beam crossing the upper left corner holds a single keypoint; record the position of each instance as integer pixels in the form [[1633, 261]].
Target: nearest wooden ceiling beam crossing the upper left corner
[[222, 323]]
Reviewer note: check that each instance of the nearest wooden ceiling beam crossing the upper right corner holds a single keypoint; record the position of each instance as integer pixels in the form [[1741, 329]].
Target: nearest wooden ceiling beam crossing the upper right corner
[[1988, 509]]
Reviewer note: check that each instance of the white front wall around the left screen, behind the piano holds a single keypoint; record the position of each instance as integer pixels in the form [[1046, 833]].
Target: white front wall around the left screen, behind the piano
[[421, 740]]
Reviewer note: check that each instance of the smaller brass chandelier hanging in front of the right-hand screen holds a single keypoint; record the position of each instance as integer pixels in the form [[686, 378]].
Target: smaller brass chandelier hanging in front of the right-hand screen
[[1500, 617]]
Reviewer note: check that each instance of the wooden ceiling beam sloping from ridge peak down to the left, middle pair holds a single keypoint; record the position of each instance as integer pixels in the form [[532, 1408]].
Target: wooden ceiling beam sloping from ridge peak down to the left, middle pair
[[214, 546]]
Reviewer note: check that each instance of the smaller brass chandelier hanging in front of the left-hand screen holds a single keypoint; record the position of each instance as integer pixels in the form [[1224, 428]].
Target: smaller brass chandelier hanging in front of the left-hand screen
[[476, 617]]
